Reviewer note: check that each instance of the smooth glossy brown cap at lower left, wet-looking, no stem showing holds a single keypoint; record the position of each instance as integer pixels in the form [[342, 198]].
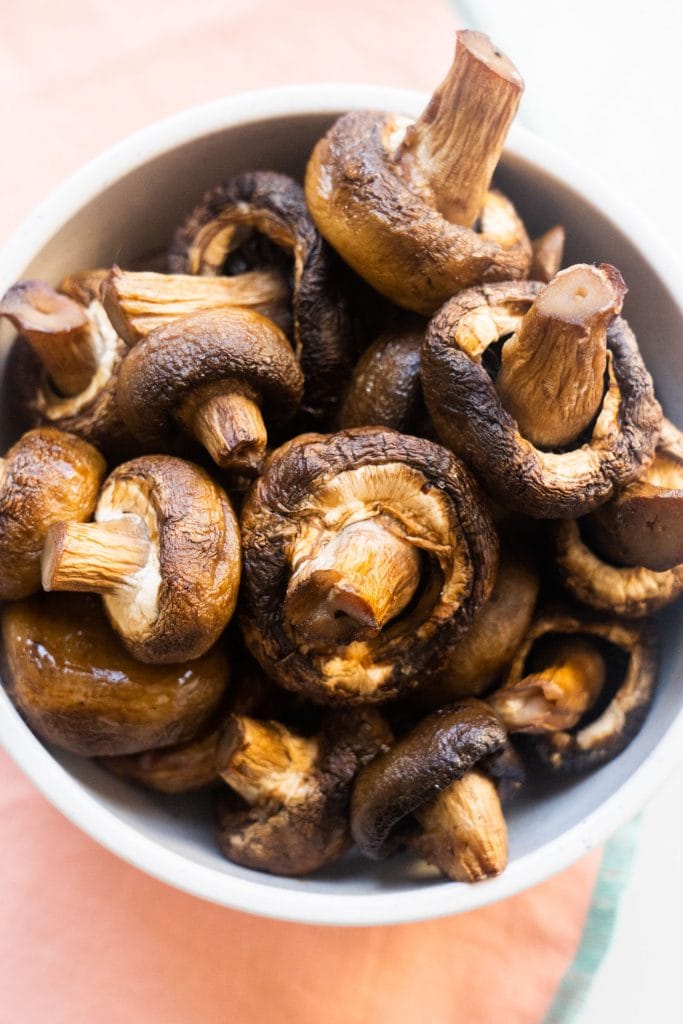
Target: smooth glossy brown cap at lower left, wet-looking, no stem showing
[[79, 689]]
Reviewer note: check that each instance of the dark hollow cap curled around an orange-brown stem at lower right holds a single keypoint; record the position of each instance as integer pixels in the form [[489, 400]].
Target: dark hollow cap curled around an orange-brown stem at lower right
[[592, 744]]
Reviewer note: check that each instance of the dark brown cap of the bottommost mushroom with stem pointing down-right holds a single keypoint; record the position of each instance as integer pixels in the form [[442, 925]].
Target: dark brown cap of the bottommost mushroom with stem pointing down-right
[[440, 750]]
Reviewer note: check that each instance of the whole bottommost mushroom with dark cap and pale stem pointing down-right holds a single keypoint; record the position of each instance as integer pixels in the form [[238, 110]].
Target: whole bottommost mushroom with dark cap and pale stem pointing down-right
[[434, 790]]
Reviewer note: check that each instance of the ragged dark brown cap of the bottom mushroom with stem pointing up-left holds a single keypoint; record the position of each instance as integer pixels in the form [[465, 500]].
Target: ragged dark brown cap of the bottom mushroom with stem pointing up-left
[[301, 836]]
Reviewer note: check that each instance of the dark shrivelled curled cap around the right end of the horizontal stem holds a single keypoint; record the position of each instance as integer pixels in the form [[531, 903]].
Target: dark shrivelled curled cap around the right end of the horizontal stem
[[274, 205]]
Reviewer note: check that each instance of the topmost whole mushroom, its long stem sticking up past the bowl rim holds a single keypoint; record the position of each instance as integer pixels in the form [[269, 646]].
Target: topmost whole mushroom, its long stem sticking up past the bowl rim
[[407, 204]]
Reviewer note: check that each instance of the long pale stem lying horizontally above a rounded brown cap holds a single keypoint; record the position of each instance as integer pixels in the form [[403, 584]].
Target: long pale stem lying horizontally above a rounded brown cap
[[139, 303]]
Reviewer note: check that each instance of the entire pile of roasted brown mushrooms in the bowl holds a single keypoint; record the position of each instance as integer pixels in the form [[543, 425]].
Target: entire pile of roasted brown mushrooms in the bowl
[[390, 505]]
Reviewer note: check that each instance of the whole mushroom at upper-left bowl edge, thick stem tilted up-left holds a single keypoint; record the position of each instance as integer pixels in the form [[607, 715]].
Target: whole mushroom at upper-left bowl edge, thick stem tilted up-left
[[65, 364]]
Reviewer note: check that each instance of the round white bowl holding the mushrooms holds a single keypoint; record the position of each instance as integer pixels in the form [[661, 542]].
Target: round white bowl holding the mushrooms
[[129, 202]]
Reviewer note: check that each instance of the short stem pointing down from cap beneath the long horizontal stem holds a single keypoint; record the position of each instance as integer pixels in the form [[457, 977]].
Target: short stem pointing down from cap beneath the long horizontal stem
[[229, 423]]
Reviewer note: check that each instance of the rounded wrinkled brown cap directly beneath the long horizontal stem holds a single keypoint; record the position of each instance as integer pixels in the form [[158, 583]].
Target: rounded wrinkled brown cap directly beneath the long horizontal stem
[[205, 349]]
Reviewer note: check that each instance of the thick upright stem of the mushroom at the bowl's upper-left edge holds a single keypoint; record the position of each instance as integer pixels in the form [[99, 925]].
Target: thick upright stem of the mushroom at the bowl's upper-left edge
[[58, 329]]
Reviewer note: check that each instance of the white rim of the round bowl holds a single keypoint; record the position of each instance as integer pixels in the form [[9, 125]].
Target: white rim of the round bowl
[[82, 808]]
